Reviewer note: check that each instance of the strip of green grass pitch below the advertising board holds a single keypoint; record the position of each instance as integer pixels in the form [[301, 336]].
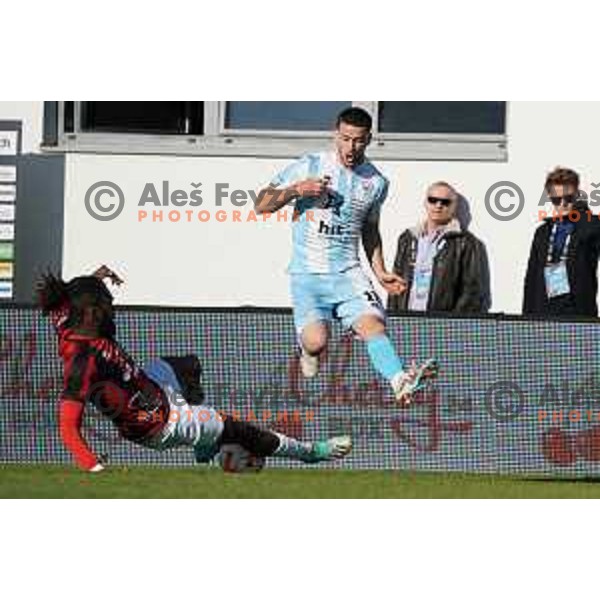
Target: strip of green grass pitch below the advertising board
[[46, 481]]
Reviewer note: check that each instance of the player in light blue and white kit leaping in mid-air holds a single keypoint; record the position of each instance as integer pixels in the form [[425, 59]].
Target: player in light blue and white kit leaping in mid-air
[[338, 197]]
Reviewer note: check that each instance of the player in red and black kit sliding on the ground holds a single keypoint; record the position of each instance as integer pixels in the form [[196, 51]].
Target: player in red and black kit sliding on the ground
[[141, 401]]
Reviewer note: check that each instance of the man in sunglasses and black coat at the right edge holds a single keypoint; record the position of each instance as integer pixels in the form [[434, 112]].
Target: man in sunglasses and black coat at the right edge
[[561, 275]]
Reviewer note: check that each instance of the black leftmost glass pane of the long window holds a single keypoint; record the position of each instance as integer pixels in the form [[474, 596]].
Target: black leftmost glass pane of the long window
[[143, 117]]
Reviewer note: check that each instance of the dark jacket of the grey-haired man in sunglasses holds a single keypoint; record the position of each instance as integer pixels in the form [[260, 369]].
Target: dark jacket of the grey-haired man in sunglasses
[[460, 280]]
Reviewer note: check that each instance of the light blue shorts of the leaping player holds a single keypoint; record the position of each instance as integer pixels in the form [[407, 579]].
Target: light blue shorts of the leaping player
[[343, 296]]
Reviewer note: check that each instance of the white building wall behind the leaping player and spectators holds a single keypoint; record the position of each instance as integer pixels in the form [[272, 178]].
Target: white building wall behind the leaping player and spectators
[[232, 264]]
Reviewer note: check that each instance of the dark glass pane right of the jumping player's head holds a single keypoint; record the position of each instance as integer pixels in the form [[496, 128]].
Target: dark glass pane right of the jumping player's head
[[442, 117]]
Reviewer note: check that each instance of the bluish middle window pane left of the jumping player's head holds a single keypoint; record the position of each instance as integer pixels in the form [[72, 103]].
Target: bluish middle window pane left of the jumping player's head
[[284, 116]]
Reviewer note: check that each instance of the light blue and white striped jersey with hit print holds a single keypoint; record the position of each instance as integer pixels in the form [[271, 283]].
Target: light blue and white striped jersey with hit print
[[327, 234]]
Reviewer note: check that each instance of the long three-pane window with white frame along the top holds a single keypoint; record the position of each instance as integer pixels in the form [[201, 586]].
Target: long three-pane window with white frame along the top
[[401, 130]]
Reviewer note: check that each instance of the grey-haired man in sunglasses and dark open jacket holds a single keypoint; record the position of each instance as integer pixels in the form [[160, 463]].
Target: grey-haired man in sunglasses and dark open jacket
[[445, 266]]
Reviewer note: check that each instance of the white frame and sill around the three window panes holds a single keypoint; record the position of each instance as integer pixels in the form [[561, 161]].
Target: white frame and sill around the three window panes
[[217, 140]]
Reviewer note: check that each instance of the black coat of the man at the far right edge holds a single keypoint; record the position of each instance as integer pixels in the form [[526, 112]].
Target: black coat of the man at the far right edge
[[582, 263]]
